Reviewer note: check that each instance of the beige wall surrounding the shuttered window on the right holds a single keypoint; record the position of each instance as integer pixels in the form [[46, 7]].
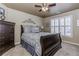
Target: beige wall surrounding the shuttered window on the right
[[75, 34]]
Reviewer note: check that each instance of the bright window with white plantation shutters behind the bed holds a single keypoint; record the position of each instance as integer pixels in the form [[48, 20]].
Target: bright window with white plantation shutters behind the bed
[[62, 25]]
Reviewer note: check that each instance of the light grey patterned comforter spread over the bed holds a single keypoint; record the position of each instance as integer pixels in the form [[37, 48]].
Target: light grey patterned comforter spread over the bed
[[34, 40]]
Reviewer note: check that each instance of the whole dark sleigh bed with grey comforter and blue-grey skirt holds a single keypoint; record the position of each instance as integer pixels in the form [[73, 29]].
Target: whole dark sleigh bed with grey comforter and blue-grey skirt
[[40, 43]]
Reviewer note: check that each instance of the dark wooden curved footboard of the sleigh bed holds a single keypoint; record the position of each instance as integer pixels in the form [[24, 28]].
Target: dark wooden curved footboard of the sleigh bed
[[50, 44]]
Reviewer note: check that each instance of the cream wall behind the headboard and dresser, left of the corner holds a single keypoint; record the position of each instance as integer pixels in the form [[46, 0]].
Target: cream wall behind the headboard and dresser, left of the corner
[[18, 17]]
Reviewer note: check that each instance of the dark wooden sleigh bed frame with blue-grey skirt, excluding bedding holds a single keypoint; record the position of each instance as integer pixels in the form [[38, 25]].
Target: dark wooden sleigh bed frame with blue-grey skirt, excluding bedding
[[50, 44]]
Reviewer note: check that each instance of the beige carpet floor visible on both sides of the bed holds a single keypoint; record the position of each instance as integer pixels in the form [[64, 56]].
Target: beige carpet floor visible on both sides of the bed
[[66, 50]]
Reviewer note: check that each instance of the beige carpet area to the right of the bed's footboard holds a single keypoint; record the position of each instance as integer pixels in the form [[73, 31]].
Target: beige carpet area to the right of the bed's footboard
[[68, 50]]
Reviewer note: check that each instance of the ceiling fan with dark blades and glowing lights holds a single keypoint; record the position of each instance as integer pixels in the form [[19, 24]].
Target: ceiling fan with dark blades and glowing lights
[[45, 7]]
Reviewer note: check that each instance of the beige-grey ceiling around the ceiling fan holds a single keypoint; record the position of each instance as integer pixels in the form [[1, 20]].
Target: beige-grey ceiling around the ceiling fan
[[29, 8]]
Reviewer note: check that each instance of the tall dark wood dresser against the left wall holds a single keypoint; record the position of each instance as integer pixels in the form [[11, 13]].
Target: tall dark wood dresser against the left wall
[[6, 36]]
